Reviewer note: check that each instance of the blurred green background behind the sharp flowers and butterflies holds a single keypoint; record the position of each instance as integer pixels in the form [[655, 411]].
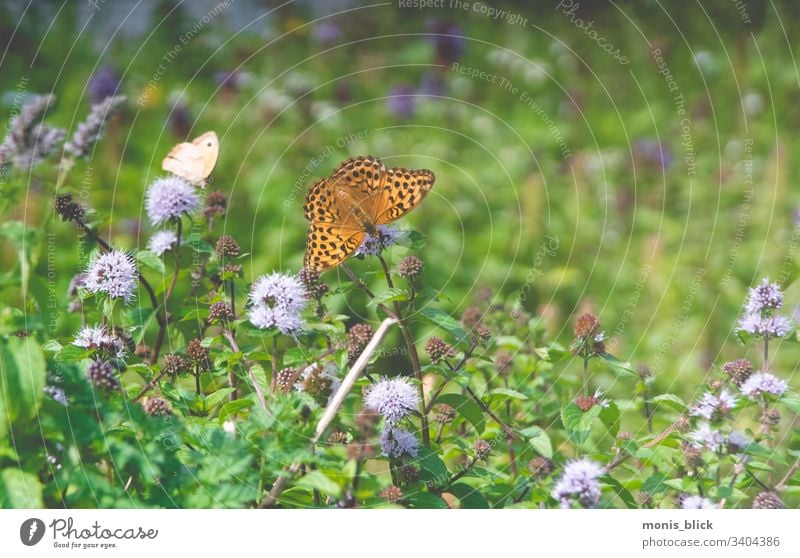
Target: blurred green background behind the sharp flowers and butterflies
[[580, 170]]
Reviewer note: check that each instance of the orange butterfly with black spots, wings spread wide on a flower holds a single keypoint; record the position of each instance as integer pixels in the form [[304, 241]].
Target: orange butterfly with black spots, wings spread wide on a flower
[[359, 195]]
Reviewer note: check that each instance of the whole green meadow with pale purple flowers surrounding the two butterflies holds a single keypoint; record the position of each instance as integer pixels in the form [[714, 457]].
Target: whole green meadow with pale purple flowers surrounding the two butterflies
[[163, 346]]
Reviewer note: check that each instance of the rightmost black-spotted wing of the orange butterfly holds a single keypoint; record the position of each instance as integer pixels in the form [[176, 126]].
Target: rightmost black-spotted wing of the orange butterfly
[[400, 192]]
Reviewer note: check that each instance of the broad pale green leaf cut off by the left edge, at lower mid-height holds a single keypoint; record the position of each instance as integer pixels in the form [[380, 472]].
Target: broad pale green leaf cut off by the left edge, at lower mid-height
[[22, 379]]
